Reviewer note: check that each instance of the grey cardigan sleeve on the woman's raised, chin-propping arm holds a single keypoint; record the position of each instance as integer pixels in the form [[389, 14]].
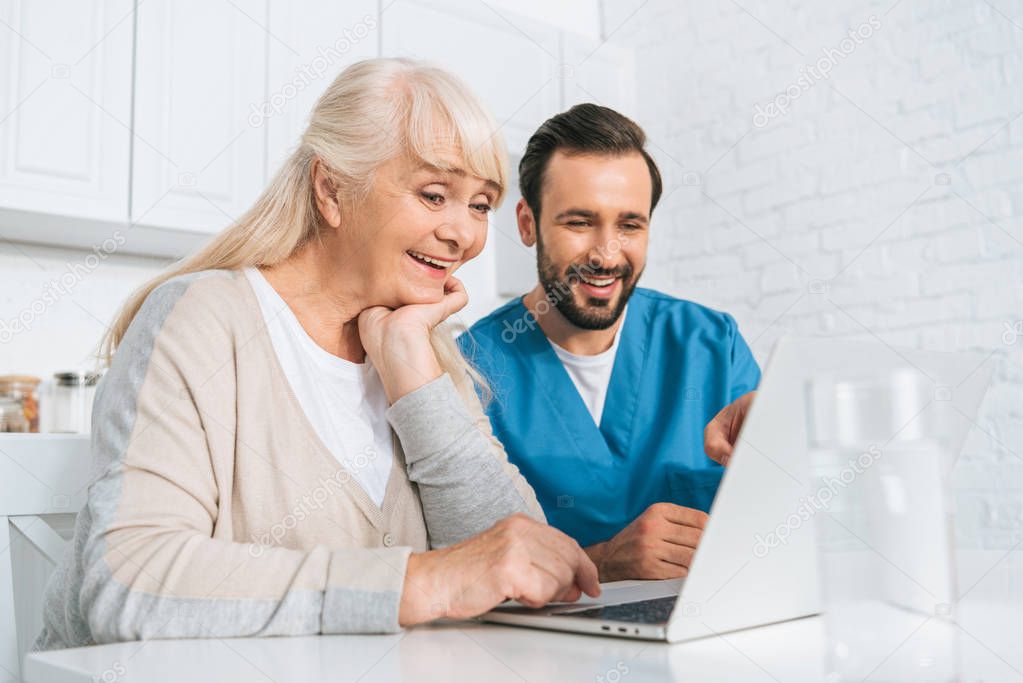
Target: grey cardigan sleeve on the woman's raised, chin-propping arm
[[463, 473]]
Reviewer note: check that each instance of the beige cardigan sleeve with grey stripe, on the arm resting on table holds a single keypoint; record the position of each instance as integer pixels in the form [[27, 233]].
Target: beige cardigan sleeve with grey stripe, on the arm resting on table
[[144, 563]]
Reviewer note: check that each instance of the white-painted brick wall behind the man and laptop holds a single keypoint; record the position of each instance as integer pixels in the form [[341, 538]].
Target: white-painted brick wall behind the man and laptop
[[899, 180]]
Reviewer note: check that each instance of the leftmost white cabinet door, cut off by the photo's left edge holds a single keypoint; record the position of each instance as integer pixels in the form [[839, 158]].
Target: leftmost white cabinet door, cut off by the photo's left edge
[[66, 107]]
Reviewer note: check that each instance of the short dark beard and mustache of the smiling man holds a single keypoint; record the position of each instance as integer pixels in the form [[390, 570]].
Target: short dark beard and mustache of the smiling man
[[597, 313]]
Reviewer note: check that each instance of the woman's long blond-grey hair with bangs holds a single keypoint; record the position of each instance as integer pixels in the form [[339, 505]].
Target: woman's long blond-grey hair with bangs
[[374, 112]]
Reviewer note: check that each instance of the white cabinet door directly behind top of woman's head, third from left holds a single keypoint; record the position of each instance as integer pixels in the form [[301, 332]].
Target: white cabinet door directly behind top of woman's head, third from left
[[317, 41]]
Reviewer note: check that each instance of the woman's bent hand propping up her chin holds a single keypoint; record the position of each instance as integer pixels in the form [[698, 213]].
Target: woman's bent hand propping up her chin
[[397, 341]]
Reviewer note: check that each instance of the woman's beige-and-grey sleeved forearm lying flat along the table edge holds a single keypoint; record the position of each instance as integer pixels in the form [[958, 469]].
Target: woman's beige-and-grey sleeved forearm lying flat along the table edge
[[182, 585]]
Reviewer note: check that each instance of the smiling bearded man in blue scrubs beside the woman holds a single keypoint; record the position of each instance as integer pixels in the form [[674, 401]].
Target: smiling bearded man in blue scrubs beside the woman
[[601, 390]]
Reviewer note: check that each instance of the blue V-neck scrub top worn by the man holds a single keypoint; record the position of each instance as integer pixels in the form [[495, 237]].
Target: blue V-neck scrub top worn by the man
[[679, 363]]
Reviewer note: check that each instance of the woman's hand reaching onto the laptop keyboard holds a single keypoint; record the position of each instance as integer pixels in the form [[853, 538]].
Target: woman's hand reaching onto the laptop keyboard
[[518, 559]]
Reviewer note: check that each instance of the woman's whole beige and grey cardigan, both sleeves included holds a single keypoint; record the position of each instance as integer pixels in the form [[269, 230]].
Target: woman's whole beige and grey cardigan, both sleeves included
[[216, 511]]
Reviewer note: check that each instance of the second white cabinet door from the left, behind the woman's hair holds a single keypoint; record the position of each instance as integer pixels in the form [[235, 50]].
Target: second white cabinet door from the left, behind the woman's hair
[[201, 72]]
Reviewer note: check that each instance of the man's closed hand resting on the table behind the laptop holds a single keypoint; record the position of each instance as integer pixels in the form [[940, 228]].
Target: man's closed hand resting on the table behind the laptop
[[659, 544]]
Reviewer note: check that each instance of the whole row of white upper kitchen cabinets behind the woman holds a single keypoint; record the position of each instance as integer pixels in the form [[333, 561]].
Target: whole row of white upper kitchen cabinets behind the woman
[[164, 120]]
